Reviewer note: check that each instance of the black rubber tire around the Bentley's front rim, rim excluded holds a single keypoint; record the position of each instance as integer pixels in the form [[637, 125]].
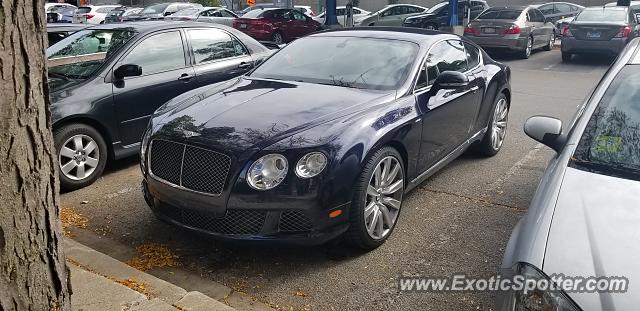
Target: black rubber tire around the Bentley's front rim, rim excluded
[[357, 234]]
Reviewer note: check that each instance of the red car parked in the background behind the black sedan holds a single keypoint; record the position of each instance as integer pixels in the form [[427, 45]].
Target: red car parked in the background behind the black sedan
[[277, 25]]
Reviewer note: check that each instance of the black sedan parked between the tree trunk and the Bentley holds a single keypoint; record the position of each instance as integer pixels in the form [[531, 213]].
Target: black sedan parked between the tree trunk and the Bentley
[[106, 81]]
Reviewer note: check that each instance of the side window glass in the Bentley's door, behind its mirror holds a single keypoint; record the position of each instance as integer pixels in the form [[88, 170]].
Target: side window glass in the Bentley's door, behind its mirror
[[447, 56]]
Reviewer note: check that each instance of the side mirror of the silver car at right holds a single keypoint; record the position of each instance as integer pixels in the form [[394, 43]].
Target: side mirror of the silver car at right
[[546, 130]]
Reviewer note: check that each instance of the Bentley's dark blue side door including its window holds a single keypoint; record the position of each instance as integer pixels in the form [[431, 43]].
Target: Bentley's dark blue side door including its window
[[447, 114]]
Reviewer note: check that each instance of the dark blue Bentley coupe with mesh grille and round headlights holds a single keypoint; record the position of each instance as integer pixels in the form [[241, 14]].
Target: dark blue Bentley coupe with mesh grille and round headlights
[[325, 137]]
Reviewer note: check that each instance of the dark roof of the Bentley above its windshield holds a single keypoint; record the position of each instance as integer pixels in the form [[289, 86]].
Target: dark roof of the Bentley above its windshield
[[416, 35]]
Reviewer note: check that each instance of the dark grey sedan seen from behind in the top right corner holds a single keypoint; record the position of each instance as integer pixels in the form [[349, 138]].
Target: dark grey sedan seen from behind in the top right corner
[[599, 30]]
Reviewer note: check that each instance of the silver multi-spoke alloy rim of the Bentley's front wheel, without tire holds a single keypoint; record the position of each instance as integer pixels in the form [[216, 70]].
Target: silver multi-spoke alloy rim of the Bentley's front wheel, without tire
[[384, 198]]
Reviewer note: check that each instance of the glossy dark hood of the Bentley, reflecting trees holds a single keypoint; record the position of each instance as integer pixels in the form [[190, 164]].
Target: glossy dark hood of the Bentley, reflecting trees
[[256, 113]]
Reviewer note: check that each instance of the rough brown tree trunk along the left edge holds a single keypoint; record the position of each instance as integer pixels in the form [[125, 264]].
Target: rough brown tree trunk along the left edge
[[33, 272]]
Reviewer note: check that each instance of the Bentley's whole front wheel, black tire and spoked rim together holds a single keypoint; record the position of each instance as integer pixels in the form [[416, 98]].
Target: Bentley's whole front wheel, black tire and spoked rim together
[[376, 203]]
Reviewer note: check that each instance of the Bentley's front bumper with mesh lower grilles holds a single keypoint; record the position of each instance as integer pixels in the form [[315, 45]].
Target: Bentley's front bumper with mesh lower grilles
[[245, 217]]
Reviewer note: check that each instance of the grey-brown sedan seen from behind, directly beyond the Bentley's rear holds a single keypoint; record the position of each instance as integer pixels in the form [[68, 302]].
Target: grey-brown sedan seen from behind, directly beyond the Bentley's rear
[[520, 29]]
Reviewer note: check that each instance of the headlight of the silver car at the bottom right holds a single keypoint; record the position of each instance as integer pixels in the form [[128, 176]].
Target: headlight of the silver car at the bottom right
[[537, 299]]
